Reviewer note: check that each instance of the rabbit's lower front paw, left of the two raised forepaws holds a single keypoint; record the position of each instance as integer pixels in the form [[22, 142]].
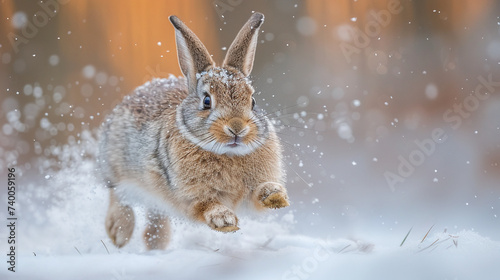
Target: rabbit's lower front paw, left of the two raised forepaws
[[221, 218]]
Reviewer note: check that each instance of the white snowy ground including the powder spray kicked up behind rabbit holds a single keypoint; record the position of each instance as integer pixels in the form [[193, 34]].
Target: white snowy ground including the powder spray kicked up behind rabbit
[[61, 236]]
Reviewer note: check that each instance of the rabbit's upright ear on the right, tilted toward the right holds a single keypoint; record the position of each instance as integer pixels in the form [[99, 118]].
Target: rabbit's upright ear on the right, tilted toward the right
[[241, 53]]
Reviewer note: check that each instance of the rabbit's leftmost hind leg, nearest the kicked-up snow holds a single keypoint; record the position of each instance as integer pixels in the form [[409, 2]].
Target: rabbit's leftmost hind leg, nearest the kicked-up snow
[[120, 221]]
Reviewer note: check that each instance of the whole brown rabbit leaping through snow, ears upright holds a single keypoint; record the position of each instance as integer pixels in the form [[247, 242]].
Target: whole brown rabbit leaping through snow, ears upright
[[196, 145]]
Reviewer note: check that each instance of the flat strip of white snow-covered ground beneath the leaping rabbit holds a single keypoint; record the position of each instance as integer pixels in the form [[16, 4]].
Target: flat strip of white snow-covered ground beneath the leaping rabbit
[[252, 255]]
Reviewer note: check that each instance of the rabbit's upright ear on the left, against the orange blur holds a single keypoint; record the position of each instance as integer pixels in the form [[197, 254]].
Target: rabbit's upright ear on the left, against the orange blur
[[192, 54]]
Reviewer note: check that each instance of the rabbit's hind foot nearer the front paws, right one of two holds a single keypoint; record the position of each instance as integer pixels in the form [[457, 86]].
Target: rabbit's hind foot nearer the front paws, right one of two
[[157, 233]]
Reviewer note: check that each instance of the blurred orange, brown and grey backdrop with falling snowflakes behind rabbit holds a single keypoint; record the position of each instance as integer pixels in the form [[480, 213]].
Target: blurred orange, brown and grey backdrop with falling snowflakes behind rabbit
[[357, 86]]
